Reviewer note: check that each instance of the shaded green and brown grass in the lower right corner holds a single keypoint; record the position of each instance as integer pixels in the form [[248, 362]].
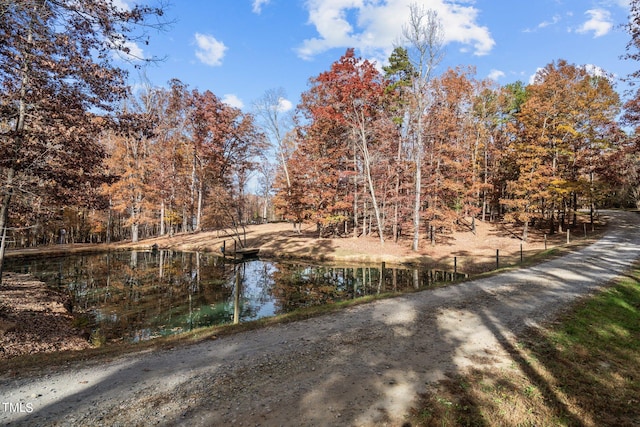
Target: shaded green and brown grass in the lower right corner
[[583, 370]]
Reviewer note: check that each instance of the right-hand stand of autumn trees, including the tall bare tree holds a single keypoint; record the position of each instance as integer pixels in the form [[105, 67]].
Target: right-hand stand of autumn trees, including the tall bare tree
[[405, 151]]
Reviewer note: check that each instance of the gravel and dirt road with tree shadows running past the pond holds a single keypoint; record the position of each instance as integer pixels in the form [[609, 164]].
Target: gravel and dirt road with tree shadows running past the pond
[[363, 366]]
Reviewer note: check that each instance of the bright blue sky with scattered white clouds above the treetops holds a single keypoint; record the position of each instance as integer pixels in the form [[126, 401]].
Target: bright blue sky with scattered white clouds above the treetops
[[239, 49]]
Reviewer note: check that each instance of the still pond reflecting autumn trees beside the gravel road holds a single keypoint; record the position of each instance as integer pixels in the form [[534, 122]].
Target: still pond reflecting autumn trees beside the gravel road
[[140, 295]]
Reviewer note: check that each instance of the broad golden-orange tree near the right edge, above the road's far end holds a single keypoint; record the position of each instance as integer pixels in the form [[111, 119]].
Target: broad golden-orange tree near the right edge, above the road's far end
[[567, 119]]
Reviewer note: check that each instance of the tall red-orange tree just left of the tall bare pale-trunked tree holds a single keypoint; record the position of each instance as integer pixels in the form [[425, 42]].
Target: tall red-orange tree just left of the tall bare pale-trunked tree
[[344, 147]]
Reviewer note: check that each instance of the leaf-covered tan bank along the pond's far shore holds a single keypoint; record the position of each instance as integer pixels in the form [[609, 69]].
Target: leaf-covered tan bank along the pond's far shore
[[277, 241]]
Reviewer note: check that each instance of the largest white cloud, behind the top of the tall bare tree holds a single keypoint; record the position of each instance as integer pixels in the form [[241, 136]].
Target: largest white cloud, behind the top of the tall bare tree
[[374, 26]]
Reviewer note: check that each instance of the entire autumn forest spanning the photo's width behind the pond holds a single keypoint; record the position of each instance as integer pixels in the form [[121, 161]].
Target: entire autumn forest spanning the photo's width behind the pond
[[407, 150]]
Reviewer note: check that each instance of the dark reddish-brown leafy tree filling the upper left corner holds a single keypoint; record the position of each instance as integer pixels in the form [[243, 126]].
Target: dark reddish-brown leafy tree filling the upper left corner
[[56, 71]]
